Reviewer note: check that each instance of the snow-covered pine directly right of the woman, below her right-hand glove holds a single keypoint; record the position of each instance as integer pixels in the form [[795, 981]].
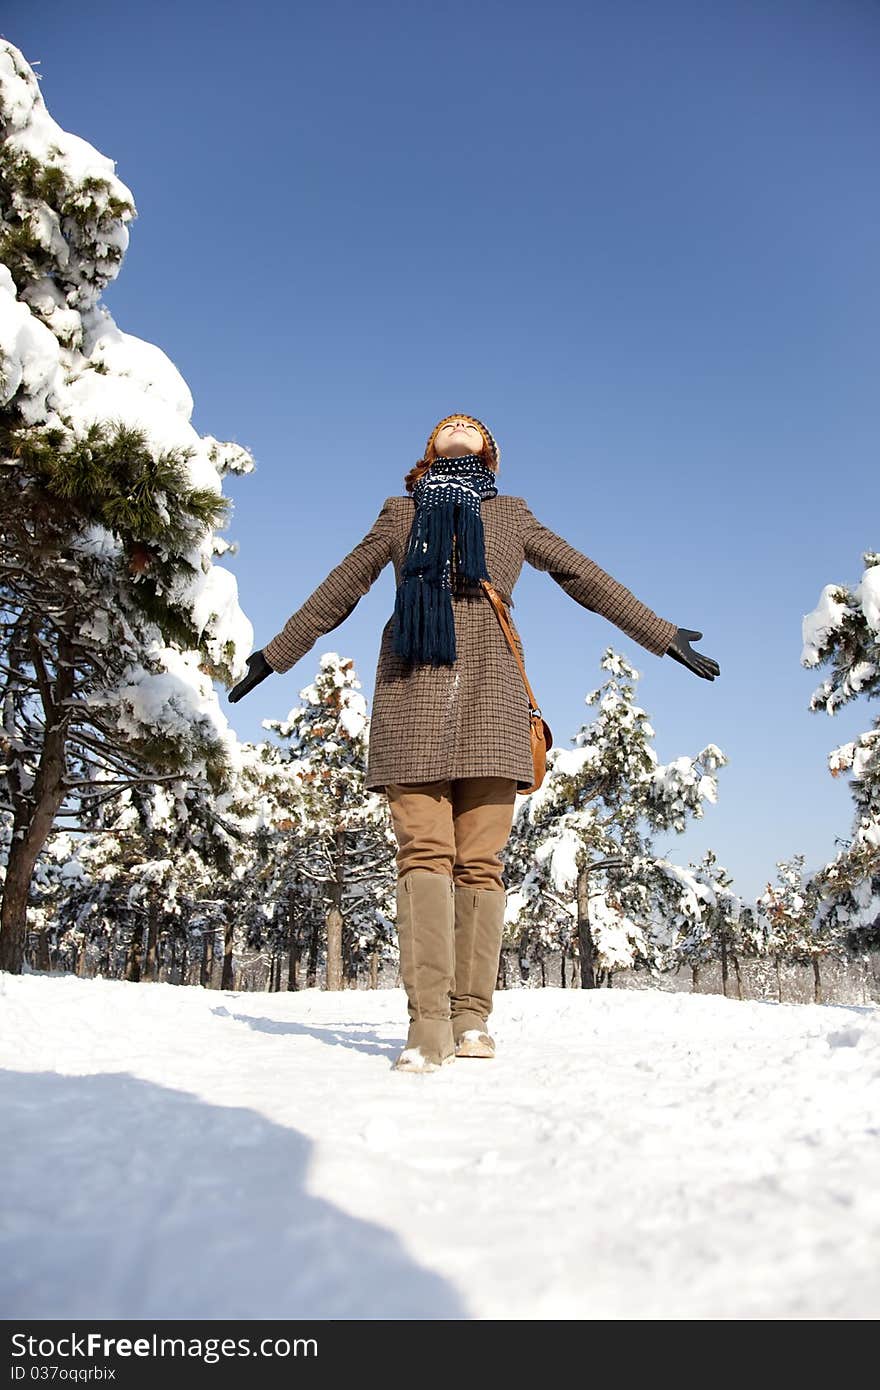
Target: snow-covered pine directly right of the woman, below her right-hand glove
[[590, 818]]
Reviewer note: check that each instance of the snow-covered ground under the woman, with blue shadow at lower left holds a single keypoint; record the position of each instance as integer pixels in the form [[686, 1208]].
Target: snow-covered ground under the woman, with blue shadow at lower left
[[176, 1153]]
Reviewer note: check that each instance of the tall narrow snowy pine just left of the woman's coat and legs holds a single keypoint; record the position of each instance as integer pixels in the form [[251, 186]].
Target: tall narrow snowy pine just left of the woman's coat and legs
[[345, 844]]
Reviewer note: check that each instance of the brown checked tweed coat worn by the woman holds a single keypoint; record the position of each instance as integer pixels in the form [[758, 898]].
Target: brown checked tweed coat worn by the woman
[[471, 719]]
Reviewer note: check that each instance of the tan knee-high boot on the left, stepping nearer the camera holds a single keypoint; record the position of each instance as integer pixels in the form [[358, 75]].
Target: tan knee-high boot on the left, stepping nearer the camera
[[426, 933]]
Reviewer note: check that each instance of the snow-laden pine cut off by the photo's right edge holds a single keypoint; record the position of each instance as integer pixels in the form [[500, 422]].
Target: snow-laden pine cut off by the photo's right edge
[[845, 632]]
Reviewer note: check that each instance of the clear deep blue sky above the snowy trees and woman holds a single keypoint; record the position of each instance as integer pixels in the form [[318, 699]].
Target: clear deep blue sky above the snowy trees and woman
[[639, 240]]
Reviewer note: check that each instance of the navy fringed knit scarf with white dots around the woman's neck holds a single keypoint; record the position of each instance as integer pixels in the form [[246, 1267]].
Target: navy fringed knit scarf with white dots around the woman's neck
[[447, 530]]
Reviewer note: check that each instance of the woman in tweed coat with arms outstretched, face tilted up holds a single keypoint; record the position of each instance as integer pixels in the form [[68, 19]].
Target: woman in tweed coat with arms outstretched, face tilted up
[[450, 742]]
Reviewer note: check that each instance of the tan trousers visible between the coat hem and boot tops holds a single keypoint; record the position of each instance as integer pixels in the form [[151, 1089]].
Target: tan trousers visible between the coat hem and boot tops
[[457, 828]]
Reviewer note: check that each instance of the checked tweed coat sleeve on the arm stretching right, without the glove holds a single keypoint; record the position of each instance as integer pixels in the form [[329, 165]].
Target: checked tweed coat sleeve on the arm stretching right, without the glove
[[593, 587]]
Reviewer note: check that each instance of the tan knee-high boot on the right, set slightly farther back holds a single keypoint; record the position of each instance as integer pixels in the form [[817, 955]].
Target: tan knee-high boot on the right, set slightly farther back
[[479, 928]]
